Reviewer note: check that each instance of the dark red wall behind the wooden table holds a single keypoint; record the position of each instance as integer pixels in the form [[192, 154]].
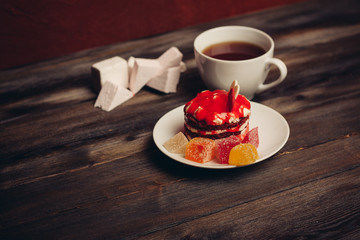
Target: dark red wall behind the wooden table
[[34, 30]]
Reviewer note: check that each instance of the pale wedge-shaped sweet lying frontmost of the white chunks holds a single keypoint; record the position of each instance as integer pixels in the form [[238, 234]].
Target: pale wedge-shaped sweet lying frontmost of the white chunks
[[111, 96]]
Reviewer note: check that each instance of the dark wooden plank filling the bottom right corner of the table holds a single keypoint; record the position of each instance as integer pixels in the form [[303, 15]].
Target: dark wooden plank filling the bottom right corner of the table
[[314, 215]]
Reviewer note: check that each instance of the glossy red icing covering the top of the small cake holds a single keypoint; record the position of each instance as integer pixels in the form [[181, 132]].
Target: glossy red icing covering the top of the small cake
[[212, 108]]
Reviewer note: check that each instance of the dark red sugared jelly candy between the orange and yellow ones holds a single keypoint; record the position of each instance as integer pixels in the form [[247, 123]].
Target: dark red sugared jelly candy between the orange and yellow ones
[[224, 146]]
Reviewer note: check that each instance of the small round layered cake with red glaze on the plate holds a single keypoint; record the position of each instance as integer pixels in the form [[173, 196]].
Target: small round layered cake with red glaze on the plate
[[217, 114]]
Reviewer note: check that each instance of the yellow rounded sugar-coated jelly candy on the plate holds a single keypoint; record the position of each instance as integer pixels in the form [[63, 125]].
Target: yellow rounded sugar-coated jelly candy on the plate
[[243, 154]]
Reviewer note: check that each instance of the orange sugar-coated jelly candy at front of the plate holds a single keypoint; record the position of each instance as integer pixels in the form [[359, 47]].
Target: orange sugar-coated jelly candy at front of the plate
[[200, 150]]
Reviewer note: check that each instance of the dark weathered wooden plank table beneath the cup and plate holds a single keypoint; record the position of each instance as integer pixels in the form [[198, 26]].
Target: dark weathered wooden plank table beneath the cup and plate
[[72, 171]]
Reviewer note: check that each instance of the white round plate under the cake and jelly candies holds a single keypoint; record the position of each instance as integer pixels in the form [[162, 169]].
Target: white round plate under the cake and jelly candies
[[273, 133]]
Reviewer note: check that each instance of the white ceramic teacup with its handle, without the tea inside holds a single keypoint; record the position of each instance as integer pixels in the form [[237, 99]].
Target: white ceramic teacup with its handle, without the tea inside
[[250, 74]]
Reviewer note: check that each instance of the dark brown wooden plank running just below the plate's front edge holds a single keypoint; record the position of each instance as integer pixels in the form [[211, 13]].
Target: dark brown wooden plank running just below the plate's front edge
[[153, 199]]
